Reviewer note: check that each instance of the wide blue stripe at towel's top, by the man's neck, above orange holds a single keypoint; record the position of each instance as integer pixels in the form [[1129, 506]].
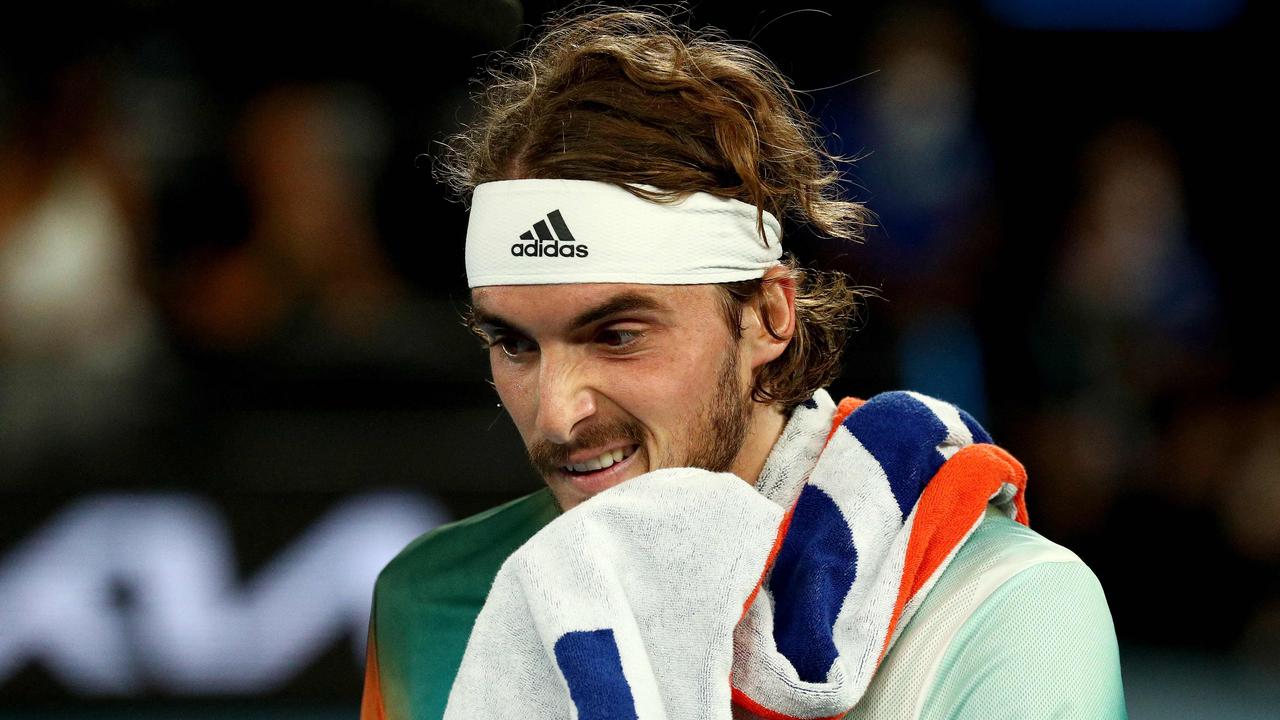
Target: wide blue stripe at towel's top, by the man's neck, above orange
[[903, 435]]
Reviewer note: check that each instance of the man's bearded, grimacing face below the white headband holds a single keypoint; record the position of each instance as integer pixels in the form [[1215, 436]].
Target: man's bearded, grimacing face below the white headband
[[609, 381]]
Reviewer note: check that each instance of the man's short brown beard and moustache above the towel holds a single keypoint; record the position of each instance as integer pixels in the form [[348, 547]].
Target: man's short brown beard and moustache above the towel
[[716, 439]]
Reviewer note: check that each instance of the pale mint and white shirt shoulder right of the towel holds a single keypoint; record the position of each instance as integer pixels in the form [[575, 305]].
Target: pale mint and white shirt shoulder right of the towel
[[980, 636]]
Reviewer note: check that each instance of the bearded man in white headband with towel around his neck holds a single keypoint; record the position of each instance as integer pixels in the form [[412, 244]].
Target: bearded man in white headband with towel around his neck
[[717, 537]]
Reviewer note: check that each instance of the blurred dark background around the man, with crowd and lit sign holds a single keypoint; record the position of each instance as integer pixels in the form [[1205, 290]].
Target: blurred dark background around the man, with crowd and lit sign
[[234, 381]]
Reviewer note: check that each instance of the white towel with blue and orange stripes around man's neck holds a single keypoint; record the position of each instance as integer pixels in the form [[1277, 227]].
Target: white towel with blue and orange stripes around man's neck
[[688, 594]]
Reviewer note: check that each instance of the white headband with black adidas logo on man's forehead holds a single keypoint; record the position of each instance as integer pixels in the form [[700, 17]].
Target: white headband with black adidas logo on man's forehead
[[563, 231]]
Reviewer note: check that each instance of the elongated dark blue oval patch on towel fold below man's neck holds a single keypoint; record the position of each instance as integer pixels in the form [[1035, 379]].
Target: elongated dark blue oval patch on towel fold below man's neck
[[811, 578]]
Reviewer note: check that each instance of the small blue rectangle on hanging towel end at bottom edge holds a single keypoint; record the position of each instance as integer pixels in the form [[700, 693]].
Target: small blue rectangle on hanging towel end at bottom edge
[[593, 669]]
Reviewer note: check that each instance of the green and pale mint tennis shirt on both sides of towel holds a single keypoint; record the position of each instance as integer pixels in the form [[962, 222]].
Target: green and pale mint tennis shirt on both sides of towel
[[1016, 627]]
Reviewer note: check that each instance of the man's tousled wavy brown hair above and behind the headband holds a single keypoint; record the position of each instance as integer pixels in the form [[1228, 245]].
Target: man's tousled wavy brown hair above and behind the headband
[[632, 97]]
